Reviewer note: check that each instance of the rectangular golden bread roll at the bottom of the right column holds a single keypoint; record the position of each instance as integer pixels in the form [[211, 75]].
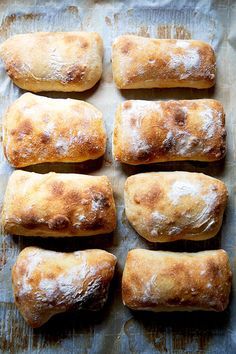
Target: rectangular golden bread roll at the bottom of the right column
[[171, 281]]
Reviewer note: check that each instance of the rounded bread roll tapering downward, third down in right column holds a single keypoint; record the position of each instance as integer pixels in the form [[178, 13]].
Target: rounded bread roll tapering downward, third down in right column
[[170, 206]]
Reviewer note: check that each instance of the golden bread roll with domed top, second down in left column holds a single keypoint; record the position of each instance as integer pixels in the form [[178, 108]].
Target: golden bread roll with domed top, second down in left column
[[39, 129]]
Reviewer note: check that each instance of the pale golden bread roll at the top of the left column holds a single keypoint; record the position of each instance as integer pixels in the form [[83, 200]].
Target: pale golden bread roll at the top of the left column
[[53, 61]]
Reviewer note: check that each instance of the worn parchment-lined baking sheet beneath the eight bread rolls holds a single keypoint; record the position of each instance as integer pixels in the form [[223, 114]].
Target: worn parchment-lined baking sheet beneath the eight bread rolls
[[116, 329]]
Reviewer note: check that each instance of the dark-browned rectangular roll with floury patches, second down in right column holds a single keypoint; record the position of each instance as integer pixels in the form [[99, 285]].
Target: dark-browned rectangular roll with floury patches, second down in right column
[[147, 132]]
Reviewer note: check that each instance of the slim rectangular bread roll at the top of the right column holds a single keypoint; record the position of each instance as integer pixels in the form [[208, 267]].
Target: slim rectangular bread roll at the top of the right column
[[139, 62]]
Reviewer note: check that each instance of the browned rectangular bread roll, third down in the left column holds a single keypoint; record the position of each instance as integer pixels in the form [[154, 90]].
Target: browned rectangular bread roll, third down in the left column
[[58, 204]]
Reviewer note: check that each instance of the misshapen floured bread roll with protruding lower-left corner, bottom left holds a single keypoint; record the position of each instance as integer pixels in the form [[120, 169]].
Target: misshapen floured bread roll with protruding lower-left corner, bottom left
[[46, 282]]
